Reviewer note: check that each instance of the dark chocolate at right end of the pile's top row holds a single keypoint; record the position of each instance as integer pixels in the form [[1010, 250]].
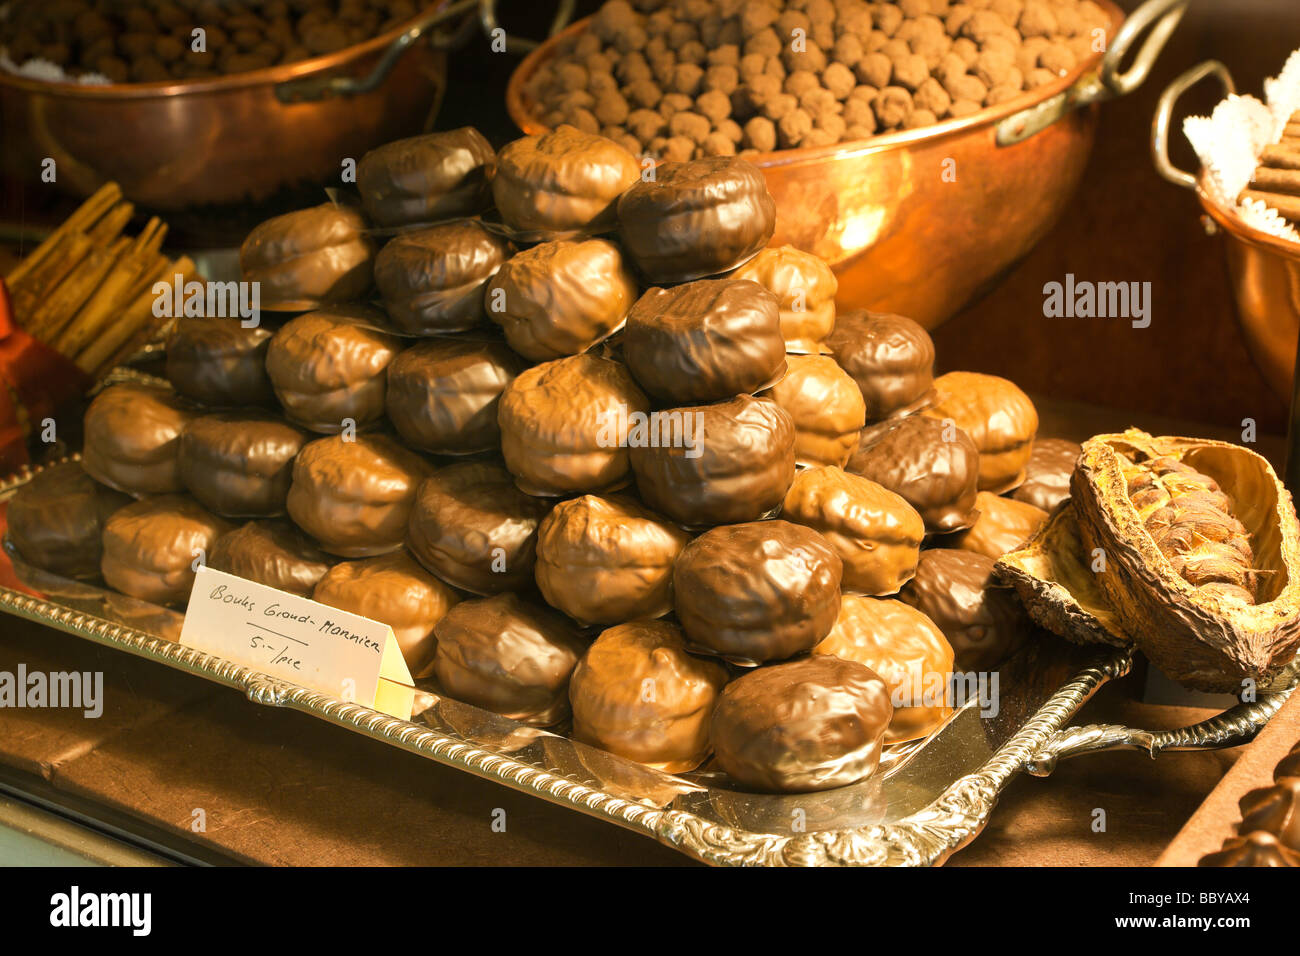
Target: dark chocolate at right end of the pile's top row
[[696, 219]]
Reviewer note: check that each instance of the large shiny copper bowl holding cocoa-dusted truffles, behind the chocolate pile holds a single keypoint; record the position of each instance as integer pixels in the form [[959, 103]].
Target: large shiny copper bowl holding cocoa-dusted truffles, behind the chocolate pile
[[900, 235]]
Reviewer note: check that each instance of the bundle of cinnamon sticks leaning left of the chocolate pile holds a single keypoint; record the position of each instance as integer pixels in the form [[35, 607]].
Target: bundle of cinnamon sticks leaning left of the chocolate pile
[[86, 292]]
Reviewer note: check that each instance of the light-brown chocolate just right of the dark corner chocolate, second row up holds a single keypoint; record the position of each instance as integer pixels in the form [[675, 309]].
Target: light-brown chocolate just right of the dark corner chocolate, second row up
[[874, 531]]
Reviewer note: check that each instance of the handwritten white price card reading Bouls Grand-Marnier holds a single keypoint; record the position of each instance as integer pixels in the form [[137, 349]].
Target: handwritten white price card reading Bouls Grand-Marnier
[[298, 641]]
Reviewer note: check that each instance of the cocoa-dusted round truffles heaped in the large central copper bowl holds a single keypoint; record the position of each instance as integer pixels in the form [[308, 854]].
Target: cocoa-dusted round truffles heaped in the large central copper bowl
[[690, 79]]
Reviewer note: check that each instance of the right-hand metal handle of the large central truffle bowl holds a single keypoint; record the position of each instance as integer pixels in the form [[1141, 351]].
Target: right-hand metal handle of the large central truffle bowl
[[1155, 21]]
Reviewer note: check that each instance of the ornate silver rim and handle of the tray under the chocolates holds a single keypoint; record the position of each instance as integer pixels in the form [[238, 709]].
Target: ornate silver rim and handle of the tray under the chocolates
[[925, 838]]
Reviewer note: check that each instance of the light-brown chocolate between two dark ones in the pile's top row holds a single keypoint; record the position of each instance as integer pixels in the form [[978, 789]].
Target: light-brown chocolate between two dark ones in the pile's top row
[[561, 181]]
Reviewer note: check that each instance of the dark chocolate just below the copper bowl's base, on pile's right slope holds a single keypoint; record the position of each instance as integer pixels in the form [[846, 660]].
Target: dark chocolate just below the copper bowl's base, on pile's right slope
[[891, 358]]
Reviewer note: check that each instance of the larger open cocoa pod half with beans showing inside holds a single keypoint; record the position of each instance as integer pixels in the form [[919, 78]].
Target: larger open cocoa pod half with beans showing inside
[[1194, 617]]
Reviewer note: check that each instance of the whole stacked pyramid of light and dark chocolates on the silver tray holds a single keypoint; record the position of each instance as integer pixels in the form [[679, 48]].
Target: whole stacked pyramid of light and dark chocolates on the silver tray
[[600, 455]]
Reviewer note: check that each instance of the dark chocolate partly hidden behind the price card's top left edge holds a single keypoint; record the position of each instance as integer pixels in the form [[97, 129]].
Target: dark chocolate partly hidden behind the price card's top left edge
[[274, 553]]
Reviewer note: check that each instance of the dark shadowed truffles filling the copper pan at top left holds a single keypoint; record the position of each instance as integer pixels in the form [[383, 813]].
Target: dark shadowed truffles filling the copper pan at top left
[[154, 41]]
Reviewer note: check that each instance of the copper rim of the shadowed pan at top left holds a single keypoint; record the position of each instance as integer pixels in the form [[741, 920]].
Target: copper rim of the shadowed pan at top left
[[271, 76]]
